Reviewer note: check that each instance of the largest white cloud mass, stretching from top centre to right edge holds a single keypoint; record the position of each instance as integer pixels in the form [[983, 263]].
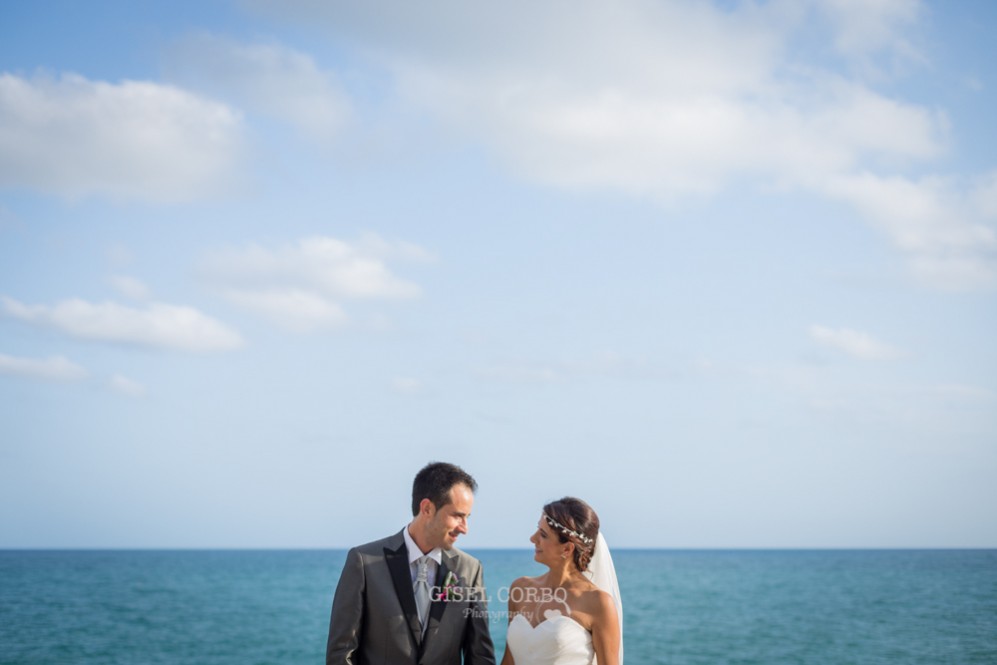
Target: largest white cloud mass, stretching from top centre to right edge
[[701, 97]]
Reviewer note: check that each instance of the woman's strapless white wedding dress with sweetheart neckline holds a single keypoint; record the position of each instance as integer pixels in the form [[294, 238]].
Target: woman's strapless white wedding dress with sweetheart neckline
[[557, 639]]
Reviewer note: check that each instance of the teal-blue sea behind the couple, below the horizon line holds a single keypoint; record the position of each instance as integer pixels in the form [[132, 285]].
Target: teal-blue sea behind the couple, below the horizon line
[[228, 607]]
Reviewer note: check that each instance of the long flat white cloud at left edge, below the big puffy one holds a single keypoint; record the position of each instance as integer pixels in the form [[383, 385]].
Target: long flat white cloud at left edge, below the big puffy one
[[157, 325]]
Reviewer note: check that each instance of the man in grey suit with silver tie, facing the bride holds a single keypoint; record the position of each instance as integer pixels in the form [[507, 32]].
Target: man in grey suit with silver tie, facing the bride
[[413, 597]]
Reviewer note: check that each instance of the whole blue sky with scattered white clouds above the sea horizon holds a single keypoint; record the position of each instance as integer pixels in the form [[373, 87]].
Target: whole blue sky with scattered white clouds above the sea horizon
[[725, 270]]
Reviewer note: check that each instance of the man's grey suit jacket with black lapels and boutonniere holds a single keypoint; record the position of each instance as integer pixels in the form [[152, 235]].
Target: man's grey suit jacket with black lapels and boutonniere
[[374, 620]]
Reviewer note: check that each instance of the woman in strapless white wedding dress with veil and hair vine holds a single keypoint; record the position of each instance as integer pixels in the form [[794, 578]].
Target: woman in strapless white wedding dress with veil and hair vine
[[572, 614]]
